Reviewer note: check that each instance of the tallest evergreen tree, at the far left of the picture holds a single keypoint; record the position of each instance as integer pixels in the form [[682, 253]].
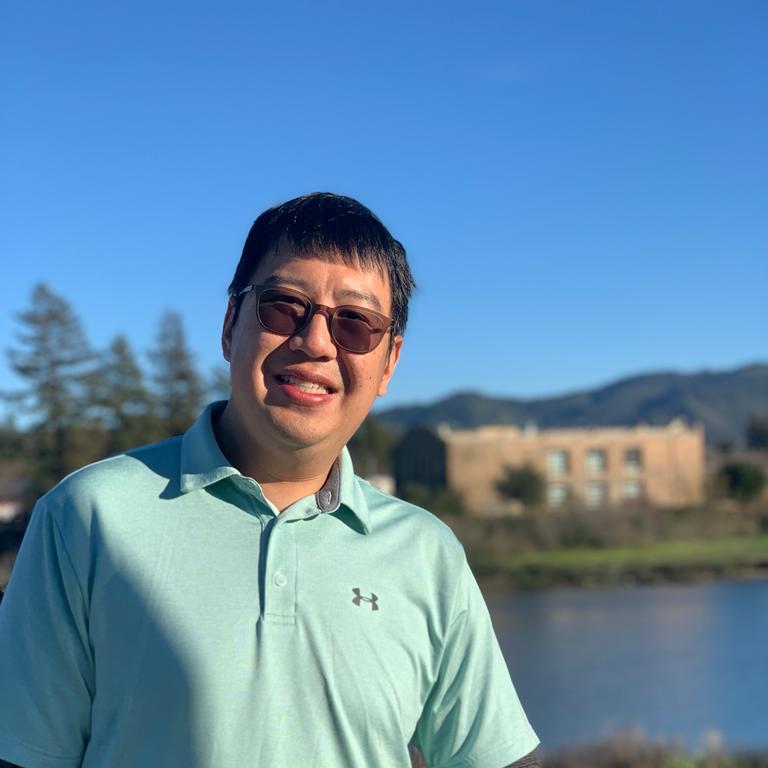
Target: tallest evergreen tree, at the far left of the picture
[[54, 358]]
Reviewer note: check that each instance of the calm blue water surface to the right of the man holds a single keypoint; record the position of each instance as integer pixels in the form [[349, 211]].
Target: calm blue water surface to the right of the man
[[679, 662]]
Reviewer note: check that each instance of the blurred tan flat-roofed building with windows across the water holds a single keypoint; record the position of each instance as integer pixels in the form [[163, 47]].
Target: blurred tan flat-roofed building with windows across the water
[[588, 467]]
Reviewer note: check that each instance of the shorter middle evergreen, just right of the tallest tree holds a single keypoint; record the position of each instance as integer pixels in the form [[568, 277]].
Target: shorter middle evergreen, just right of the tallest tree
[[125, 403]]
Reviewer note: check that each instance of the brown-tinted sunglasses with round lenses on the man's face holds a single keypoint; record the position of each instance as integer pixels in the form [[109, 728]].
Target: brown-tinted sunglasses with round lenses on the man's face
[[286, 312]]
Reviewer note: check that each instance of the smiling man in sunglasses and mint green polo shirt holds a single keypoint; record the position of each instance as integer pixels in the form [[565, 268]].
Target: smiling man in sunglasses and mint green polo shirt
[[236, 596]]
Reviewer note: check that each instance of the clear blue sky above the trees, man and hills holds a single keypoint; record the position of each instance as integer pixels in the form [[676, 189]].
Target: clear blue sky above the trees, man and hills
[[592, 176]]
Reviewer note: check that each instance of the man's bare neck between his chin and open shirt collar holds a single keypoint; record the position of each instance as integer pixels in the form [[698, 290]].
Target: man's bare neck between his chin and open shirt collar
[[284, 477]]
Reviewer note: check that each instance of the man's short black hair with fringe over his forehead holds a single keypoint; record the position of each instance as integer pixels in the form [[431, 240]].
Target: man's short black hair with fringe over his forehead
[[330, 226]]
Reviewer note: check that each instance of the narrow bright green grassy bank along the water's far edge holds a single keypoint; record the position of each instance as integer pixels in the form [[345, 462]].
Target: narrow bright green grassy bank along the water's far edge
[[668, 561]]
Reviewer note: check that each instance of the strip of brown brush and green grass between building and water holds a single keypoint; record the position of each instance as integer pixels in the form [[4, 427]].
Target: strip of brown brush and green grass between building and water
[[541, 548]]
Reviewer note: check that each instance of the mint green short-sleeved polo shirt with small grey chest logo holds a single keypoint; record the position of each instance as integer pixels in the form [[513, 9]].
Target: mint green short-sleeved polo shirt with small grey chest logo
[[161, 613]]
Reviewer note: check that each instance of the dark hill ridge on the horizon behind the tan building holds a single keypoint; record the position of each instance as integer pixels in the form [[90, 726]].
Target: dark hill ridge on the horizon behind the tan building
[[721, 400]]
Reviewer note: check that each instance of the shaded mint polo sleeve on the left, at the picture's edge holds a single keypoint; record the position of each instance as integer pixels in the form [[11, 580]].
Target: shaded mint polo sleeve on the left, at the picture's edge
[[46, 665]]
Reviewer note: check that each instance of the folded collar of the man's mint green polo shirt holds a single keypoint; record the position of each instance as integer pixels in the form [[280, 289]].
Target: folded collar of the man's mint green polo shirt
[[203, 463]]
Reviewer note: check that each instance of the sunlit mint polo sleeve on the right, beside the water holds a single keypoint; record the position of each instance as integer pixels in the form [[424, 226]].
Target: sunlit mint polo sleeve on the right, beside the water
[[473, 716]]
